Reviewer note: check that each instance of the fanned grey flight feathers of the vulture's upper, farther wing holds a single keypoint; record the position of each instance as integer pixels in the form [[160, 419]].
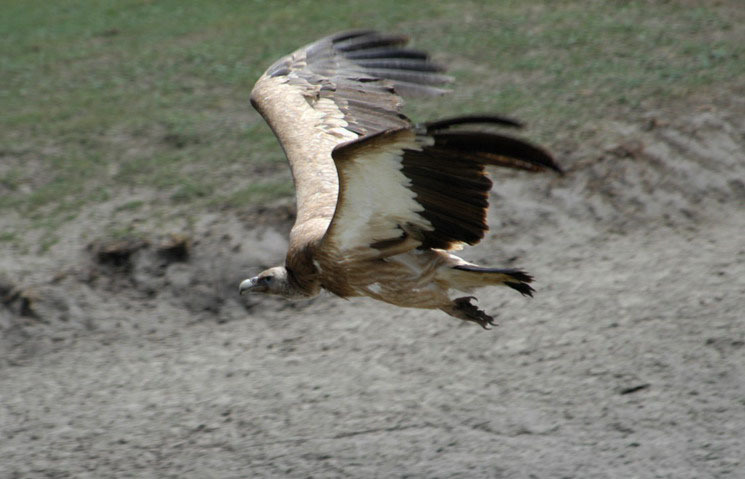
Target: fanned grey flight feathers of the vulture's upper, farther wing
[[362, 73]]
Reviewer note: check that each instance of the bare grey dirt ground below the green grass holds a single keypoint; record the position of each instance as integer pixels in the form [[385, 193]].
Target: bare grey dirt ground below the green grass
[[137, 358]]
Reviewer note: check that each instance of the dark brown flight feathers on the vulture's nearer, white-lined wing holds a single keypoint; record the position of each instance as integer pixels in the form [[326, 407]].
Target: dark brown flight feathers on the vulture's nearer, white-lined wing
[[449, 176]]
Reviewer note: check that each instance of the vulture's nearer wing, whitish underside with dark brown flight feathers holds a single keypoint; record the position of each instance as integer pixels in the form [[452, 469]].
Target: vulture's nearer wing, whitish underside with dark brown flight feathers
[[421, 187]]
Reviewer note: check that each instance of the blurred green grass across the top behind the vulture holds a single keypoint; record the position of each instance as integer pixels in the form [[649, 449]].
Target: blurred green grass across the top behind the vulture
[[101, 96]]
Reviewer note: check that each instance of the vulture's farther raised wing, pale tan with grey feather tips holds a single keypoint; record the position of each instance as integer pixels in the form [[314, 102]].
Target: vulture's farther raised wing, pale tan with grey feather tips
[[335, 90]]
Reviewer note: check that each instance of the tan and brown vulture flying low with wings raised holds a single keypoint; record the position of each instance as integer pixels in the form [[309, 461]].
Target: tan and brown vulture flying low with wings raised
[[382, 202]]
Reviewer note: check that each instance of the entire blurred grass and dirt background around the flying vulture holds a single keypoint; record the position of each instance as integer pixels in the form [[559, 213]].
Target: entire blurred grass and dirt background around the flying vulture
[[138, 186]]
